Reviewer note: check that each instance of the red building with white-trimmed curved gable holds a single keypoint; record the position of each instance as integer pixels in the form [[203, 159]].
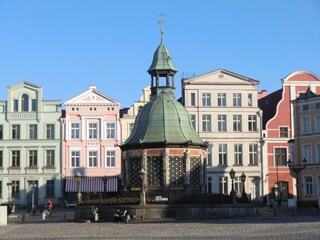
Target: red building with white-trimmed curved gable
[[278, 128]]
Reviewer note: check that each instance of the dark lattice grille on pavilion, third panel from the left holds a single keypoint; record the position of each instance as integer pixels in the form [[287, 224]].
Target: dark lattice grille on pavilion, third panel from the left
[[177, 170]]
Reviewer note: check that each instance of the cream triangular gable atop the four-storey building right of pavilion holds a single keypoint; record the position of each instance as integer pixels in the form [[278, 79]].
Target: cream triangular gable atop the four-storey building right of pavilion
[[221, 76]]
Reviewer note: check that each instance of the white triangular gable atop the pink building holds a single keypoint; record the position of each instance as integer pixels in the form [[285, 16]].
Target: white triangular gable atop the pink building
[[92, 96]]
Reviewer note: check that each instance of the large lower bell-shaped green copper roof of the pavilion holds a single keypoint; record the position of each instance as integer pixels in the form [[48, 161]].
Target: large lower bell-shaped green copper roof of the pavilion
[[163, 121]]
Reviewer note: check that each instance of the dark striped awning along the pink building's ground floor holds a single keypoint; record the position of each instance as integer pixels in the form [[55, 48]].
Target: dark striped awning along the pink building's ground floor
[[91, 184]]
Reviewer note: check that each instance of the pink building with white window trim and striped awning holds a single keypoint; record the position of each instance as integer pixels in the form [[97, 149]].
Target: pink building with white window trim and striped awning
[[90, 135]]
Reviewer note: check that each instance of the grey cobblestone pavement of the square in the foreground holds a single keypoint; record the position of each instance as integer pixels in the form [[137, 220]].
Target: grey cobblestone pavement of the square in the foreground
[[60, 226]]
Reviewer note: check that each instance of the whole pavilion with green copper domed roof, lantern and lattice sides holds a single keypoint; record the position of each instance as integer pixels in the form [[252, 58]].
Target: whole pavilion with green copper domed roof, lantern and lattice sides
[[163, 144]]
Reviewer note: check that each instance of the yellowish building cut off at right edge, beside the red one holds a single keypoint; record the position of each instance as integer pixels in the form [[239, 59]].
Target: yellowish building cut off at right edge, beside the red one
[[305, 148]]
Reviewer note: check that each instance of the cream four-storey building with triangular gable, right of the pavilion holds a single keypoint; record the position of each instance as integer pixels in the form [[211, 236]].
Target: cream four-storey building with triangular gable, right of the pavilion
[[224, 111]]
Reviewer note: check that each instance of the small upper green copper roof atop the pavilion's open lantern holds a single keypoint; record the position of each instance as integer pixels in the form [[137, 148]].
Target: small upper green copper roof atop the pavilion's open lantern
[[162, 60]]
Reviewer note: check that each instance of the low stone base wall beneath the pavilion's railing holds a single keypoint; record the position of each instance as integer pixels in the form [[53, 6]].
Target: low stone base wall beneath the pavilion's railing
[[168, 211]]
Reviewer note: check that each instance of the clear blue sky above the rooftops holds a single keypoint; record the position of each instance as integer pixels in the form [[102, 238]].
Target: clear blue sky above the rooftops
[[67, 45]]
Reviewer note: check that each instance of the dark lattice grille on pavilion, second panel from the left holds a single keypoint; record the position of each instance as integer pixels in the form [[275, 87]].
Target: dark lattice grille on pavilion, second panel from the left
[[155, 171]]
